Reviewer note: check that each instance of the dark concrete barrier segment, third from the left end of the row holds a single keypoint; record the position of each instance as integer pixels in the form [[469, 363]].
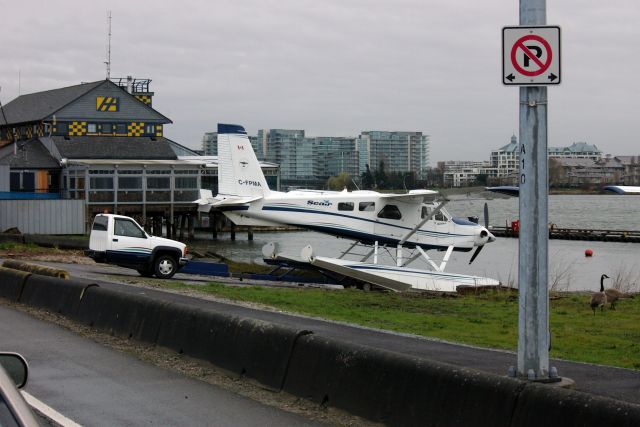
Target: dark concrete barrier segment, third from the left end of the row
[[122, 314]]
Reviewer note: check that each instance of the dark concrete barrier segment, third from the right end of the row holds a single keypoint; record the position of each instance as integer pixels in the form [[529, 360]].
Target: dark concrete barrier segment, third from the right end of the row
[[247, 347]]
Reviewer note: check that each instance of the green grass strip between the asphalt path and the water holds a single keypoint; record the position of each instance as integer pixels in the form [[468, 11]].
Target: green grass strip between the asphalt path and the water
[[488, 320]]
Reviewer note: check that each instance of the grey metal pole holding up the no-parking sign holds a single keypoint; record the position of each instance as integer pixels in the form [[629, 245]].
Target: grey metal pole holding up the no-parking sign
[[533, 318]]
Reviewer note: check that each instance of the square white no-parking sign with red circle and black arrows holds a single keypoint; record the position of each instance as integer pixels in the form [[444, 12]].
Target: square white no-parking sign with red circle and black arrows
[[531, 56]]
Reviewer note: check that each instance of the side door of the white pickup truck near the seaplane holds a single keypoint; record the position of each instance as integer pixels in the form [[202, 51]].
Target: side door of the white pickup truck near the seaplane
[[129, 244]]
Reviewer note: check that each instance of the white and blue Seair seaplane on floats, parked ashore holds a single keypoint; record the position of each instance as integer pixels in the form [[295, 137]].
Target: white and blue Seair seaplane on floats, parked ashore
[[416, 221]]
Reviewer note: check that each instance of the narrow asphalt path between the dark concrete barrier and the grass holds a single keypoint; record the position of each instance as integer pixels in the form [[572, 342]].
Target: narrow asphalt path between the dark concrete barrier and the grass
[[617, 383]]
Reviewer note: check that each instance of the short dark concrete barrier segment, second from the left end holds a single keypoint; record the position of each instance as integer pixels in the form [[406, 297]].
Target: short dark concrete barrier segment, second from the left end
[[61, 296]]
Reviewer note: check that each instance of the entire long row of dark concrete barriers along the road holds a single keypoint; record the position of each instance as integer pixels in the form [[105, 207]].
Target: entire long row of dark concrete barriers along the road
[[382, 386]]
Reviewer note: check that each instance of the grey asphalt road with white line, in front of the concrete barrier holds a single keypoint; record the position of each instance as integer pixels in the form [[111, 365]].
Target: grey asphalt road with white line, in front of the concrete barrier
[[94, 385]]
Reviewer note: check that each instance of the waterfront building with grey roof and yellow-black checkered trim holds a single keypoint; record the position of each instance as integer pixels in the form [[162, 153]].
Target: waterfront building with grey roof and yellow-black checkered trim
[[102, 142]]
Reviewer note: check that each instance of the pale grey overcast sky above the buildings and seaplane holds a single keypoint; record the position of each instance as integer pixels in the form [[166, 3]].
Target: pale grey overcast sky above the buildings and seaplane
[[337, 67]]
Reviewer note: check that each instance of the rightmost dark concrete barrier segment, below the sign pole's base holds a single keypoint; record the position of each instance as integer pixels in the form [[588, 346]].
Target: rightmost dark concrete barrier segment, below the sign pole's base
[[542, 405]]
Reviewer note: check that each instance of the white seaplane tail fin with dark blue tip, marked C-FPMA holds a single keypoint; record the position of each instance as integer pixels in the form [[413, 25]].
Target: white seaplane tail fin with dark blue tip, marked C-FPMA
[[239, 172]]
